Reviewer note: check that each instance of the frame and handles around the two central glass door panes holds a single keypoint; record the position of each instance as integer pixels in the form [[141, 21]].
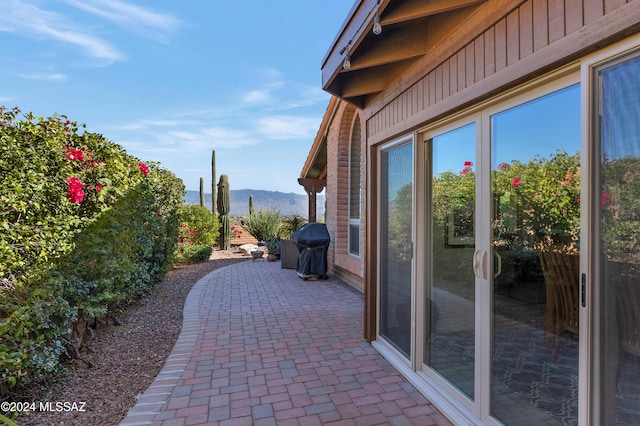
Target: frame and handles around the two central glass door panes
[[481, 116]]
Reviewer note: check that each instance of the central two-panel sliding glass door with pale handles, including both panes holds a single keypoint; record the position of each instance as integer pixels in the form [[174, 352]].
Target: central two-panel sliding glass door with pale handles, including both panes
[[501, 302]]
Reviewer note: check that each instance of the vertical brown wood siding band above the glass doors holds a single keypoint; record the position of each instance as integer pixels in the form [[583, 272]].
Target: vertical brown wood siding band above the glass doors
[[497, 47]]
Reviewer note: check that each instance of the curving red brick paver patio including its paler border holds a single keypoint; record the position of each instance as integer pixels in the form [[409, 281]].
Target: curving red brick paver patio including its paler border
[[260, 346]]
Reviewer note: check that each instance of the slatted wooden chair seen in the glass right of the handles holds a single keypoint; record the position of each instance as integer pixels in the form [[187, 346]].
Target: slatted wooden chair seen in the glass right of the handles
[[561, 272]]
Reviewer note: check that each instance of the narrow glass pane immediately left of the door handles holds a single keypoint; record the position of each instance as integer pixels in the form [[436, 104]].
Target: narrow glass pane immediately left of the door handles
[[450, 303]]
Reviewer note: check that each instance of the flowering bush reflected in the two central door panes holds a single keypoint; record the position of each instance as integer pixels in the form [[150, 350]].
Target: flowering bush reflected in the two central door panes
[[536, 204]]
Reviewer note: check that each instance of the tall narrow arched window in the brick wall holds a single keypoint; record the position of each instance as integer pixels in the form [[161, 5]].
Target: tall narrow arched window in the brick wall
[[354, 188]]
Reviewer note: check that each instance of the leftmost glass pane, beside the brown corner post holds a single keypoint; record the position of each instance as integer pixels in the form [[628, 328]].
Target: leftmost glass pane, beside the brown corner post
[[396, 247]]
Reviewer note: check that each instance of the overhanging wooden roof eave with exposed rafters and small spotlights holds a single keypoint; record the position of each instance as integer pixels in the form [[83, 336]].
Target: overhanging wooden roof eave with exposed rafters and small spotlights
[[410, 30]]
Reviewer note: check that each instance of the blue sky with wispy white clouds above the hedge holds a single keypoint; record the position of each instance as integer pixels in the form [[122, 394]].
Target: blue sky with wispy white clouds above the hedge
[[171, 80]]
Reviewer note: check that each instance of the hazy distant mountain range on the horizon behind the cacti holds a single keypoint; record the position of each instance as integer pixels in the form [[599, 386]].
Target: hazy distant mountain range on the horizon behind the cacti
[[286, 203]]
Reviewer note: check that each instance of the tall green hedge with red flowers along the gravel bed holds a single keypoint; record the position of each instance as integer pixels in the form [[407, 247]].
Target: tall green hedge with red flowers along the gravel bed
[[86, 228]]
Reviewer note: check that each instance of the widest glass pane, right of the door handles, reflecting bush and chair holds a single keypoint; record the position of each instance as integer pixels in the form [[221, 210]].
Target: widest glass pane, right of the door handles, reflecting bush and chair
[[535, 218]]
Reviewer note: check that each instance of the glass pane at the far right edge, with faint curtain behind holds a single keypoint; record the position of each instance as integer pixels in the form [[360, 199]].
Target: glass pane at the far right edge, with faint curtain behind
[[617, 203]]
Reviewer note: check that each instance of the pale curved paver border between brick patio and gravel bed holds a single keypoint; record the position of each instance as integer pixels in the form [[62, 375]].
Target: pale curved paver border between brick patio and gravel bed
[[149, 404]]
